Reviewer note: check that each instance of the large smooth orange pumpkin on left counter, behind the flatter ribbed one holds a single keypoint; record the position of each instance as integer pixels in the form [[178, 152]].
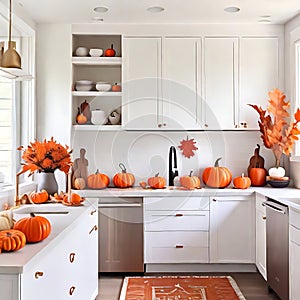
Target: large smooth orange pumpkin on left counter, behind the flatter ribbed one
[[35, 228]]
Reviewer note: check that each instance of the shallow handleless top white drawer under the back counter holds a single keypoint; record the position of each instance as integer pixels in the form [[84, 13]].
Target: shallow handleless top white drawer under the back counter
[[176, 203]]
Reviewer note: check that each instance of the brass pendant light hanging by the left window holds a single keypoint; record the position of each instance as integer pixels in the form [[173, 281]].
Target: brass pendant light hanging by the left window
[[11, 58]]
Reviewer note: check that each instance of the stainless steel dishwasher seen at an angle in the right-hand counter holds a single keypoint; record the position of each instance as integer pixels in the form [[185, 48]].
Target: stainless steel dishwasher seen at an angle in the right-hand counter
[[277, 229]]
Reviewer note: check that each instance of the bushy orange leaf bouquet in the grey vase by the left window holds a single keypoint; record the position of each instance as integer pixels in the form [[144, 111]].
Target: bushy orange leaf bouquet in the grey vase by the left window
[[46, 156]]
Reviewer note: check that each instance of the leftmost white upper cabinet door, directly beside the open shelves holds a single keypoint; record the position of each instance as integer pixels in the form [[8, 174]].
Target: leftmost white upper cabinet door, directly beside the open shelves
[[142, 83]]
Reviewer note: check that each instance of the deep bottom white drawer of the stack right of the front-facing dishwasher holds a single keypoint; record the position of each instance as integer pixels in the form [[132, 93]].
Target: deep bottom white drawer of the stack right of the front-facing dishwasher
[[176, 247]]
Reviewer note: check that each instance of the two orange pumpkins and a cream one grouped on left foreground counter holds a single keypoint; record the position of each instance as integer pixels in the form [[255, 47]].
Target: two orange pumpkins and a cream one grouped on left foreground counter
[[15, 235]]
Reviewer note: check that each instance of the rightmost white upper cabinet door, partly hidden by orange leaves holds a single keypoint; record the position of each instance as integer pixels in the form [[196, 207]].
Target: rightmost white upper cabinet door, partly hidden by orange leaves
[[259, 75]]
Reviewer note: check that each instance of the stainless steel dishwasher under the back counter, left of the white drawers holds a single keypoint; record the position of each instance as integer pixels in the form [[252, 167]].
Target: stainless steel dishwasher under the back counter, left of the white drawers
[[121, 235]]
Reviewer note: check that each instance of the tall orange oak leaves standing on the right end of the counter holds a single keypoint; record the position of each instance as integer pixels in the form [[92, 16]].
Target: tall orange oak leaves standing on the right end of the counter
[[278, 132]]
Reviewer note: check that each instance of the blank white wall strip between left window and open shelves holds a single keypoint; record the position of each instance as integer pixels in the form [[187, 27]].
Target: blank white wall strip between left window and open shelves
[[53, 81]]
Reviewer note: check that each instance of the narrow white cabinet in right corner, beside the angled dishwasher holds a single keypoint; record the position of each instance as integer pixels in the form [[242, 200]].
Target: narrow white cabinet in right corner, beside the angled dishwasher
[[261, 247]]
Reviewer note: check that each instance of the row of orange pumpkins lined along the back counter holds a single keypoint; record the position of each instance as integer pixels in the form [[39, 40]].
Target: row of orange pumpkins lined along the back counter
[[215, 177]]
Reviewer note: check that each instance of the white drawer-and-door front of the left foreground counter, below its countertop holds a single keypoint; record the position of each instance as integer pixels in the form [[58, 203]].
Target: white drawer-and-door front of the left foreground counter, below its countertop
[[70, 269]]
